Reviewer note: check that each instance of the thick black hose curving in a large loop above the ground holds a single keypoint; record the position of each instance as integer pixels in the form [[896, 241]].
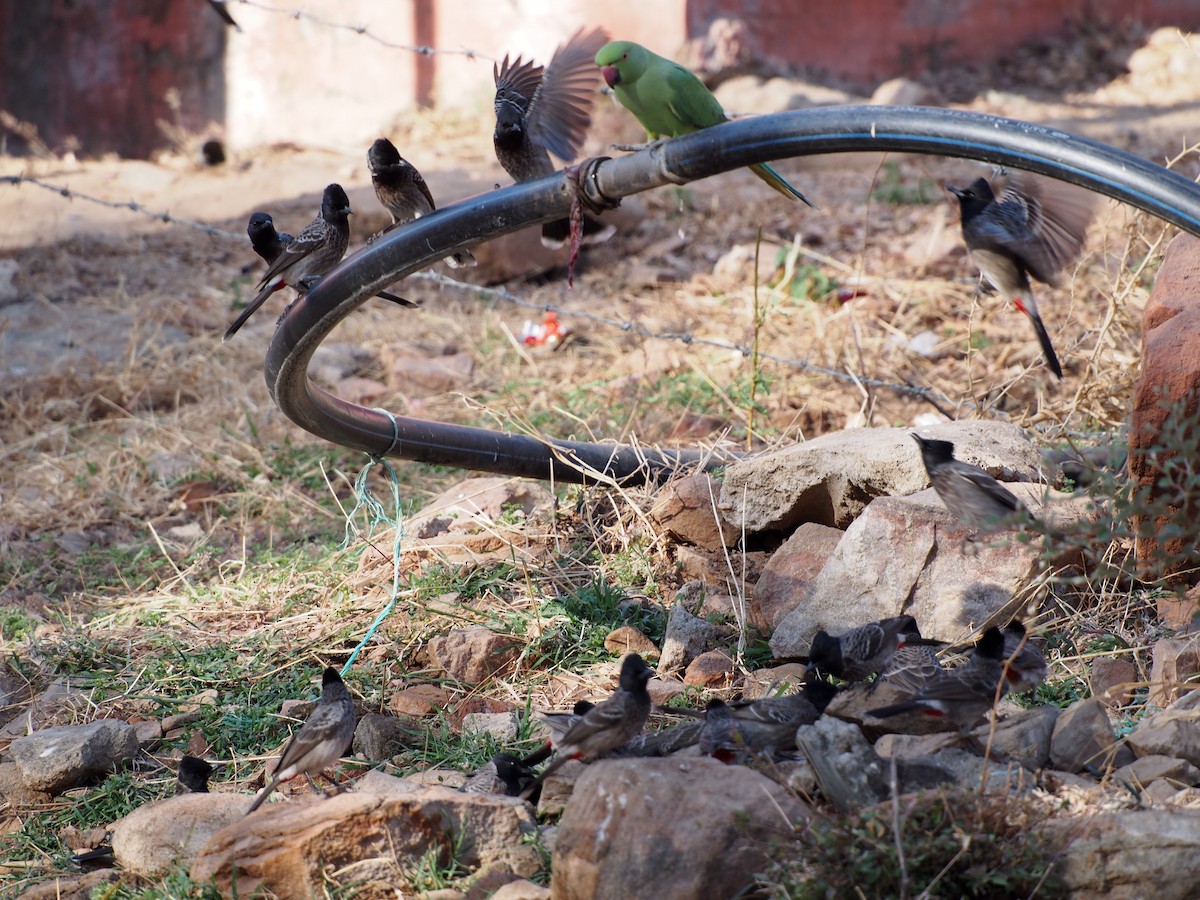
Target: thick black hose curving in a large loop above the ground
[[830, 130]]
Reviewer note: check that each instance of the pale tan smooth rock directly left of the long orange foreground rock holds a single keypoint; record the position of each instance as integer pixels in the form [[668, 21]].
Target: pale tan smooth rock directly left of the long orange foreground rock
[[160, 837]]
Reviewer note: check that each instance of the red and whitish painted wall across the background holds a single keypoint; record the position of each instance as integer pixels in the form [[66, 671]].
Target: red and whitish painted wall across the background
[[99, 70]]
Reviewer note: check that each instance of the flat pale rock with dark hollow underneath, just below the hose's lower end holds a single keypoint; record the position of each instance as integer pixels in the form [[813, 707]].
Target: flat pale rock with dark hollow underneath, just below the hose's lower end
[[832, 478]]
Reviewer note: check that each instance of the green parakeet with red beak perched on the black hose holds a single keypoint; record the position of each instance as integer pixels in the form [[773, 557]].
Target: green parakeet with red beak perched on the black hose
[[669, 100]]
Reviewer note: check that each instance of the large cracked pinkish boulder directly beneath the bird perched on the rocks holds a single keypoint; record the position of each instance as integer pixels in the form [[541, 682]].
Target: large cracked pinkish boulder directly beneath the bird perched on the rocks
[[935, 572]]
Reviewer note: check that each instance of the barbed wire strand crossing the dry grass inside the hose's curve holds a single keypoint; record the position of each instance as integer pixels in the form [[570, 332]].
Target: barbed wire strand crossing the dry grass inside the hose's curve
[[688, 339]]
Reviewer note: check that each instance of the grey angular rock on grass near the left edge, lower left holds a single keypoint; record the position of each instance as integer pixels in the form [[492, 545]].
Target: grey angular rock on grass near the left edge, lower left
[[55, 760]]
